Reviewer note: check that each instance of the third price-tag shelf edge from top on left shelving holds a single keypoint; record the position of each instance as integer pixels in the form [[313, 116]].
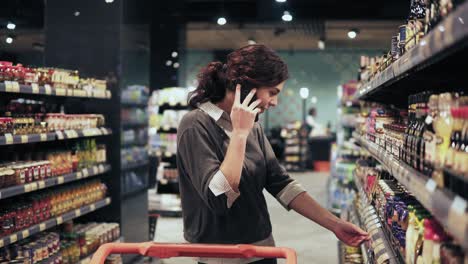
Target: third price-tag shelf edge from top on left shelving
[[54, 181]]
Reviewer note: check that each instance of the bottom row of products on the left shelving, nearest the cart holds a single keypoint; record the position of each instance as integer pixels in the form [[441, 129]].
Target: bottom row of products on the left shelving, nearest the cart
[[70, 243]]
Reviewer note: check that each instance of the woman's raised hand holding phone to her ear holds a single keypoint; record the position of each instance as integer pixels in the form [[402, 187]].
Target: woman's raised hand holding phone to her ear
[[242, 114]]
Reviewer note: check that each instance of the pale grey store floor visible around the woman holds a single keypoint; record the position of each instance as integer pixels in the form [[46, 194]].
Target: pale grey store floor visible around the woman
[[312, 243]]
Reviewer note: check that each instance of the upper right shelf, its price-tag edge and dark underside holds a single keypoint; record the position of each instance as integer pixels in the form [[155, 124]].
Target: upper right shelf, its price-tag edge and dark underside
[[430, 65]]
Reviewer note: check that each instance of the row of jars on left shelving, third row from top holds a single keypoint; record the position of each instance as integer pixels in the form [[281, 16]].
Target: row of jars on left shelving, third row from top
[[22, 168]]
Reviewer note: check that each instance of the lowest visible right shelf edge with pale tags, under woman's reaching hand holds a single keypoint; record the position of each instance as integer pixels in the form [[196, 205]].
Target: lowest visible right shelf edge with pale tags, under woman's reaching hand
[[379, 243]]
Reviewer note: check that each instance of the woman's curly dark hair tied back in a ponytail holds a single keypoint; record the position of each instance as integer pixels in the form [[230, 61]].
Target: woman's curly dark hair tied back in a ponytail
[[252, 66]]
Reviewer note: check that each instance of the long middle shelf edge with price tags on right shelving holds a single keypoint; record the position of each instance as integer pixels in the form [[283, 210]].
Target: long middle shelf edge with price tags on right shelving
[[449, 209]]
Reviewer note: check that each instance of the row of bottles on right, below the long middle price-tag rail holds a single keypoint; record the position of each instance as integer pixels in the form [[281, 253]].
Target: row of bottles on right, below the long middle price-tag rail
[[414, 234]]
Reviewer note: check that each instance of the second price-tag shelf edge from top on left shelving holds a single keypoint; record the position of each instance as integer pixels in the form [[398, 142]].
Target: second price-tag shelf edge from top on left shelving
[[9, 139]]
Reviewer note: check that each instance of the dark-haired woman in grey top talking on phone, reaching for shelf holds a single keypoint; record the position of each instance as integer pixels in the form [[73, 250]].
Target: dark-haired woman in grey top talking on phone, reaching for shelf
[[225, 160]]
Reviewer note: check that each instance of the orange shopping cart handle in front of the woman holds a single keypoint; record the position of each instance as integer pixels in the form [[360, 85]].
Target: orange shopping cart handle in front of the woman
[[161, 250]]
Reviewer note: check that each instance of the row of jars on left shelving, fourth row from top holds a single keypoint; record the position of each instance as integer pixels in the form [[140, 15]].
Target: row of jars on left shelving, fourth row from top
[[39, 207]]
